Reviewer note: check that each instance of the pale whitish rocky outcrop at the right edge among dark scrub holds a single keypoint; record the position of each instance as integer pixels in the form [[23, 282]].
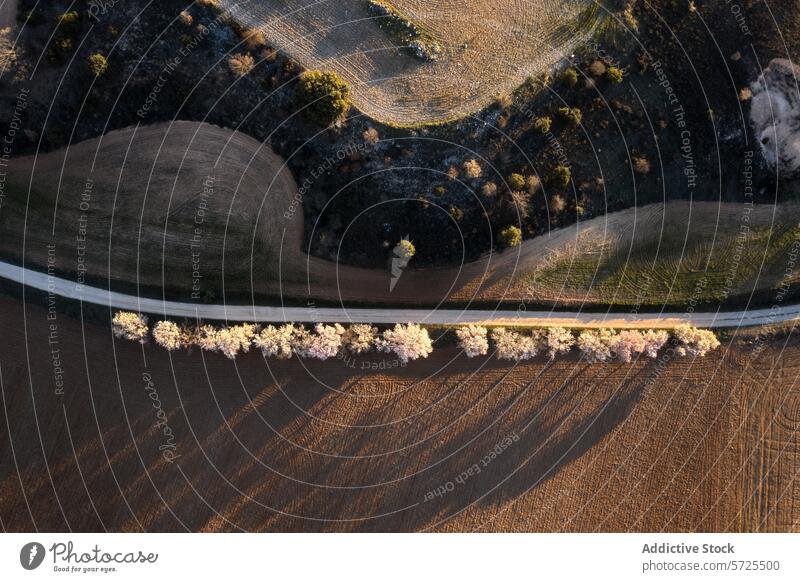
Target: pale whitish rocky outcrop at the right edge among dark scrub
[[775, 115]]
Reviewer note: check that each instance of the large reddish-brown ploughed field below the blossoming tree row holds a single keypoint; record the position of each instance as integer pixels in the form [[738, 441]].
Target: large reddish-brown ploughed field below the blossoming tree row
[[446, 444]]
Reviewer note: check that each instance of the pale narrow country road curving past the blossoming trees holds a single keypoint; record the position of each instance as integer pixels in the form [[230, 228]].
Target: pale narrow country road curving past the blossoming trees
[[256, 313]]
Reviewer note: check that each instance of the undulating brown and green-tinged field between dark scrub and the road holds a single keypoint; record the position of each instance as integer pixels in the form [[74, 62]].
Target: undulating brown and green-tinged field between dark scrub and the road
[[137, 196]]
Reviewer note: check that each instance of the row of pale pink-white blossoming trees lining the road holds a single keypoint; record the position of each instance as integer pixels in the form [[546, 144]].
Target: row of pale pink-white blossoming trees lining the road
[[411, 341]]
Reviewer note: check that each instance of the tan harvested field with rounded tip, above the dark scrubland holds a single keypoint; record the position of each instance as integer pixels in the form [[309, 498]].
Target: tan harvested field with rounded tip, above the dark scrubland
[[488, 48]]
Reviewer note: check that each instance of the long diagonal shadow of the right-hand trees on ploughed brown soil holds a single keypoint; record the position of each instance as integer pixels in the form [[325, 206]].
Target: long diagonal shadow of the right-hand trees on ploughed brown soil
[[535, 445]]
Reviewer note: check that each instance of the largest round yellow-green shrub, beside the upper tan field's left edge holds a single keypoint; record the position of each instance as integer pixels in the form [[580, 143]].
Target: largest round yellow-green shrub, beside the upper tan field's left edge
[[323, 96]]
